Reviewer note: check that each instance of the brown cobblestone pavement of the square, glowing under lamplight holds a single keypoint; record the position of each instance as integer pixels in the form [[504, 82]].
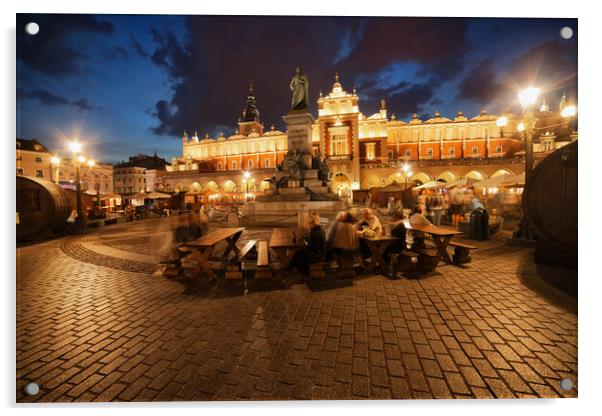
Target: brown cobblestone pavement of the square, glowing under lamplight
[[93, 325]]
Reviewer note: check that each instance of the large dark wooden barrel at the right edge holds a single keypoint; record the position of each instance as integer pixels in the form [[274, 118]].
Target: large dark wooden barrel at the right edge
[[550, 204]]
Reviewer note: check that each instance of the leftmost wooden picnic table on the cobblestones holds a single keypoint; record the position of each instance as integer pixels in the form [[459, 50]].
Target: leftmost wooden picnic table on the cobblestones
[[202, 248]]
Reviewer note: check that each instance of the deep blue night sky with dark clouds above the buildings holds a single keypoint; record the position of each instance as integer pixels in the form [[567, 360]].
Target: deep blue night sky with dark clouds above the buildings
[[131, 84]]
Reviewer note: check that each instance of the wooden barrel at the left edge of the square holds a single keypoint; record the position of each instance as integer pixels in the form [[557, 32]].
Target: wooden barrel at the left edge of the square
[[41, 206]]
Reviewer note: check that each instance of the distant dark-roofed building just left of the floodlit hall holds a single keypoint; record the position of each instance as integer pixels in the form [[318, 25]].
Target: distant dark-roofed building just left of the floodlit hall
[[131, 177]]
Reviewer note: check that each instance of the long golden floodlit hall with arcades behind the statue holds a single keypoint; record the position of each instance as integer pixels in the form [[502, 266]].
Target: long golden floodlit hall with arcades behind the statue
[[364, 152]]
